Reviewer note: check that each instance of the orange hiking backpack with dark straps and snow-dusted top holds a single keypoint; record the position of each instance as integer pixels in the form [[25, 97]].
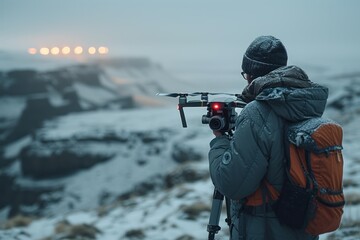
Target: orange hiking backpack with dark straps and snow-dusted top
[[312, 197]]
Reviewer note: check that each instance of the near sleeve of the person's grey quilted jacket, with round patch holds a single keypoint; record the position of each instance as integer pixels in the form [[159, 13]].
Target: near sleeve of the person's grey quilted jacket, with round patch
[[237, 166]]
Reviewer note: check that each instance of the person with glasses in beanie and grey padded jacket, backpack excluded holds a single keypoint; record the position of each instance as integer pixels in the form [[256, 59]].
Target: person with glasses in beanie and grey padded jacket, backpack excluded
[[248, 168]]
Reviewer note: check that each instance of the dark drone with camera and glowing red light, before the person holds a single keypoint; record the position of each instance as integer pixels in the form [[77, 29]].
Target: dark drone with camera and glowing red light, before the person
[[221, 114]]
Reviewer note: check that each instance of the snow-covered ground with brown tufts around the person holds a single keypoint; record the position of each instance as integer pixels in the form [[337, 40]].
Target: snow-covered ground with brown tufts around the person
[[142, 192]]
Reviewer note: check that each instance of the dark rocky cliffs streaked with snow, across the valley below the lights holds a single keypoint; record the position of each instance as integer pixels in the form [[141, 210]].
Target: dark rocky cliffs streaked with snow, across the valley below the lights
[[29, 102]]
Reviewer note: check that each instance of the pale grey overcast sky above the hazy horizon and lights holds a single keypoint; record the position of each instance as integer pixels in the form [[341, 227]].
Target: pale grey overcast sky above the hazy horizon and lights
[[185, 30]]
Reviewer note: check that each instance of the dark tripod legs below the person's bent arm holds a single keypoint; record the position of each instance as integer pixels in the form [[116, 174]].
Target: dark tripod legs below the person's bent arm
[[213, 226]]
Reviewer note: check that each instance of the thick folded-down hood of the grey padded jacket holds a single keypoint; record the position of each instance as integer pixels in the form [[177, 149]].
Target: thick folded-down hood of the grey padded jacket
[[290, 93]]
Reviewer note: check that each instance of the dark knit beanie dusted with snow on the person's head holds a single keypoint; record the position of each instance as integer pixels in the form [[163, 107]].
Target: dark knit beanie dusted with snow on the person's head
[[265, 54]]
